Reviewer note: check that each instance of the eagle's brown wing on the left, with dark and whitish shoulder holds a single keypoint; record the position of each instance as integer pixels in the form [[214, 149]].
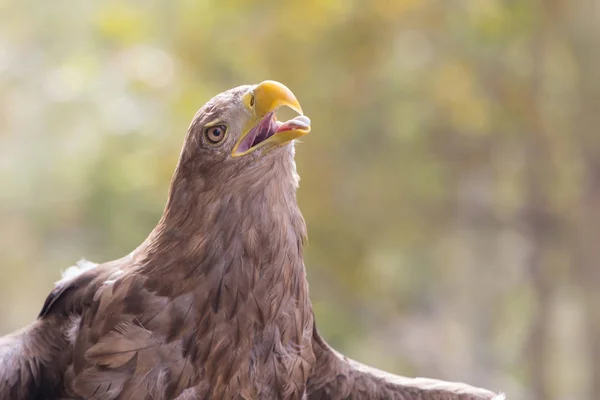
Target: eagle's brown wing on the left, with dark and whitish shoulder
[[33, 361]]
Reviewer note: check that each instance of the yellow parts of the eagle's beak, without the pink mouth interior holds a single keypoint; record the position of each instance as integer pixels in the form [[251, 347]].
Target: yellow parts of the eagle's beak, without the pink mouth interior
[[264, 99]]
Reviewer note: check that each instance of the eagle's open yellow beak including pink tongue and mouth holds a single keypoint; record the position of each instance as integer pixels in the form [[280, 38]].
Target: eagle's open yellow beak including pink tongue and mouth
[[263, 130]]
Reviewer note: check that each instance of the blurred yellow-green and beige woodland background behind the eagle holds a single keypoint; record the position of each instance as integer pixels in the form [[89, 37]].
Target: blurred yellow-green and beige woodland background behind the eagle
[[451, 184]]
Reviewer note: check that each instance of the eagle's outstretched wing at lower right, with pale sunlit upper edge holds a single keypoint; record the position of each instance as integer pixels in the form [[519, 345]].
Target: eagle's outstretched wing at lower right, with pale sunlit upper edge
[[336, 377]]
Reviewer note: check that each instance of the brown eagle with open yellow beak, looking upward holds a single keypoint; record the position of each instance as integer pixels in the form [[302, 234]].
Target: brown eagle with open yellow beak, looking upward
[[214, 304]]
